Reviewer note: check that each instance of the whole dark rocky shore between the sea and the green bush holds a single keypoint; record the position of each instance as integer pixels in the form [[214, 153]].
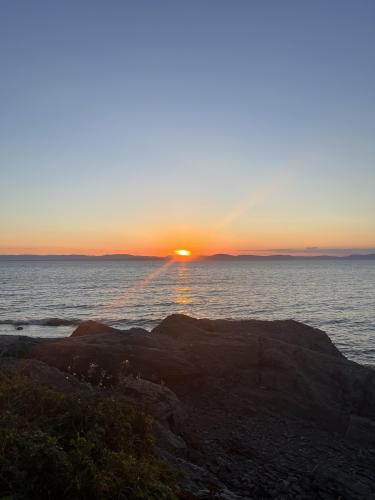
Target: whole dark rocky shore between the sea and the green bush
[[241, 409]]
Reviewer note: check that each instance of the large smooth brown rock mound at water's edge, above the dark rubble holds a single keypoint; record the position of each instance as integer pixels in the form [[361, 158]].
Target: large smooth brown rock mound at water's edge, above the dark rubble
[[283, 366]]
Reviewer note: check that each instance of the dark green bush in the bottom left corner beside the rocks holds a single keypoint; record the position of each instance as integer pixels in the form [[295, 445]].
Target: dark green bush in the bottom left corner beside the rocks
[[75, 446]]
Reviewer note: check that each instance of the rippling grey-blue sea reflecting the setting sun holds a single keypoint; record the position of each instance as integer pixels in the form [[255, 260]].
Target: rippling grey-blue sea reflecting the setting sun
[[337, 296]]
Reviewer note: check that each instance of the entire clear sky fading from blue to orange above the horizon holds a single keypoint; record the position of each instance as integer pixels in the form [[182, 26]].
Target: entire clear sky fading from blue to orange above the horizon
[[219, 126]]
